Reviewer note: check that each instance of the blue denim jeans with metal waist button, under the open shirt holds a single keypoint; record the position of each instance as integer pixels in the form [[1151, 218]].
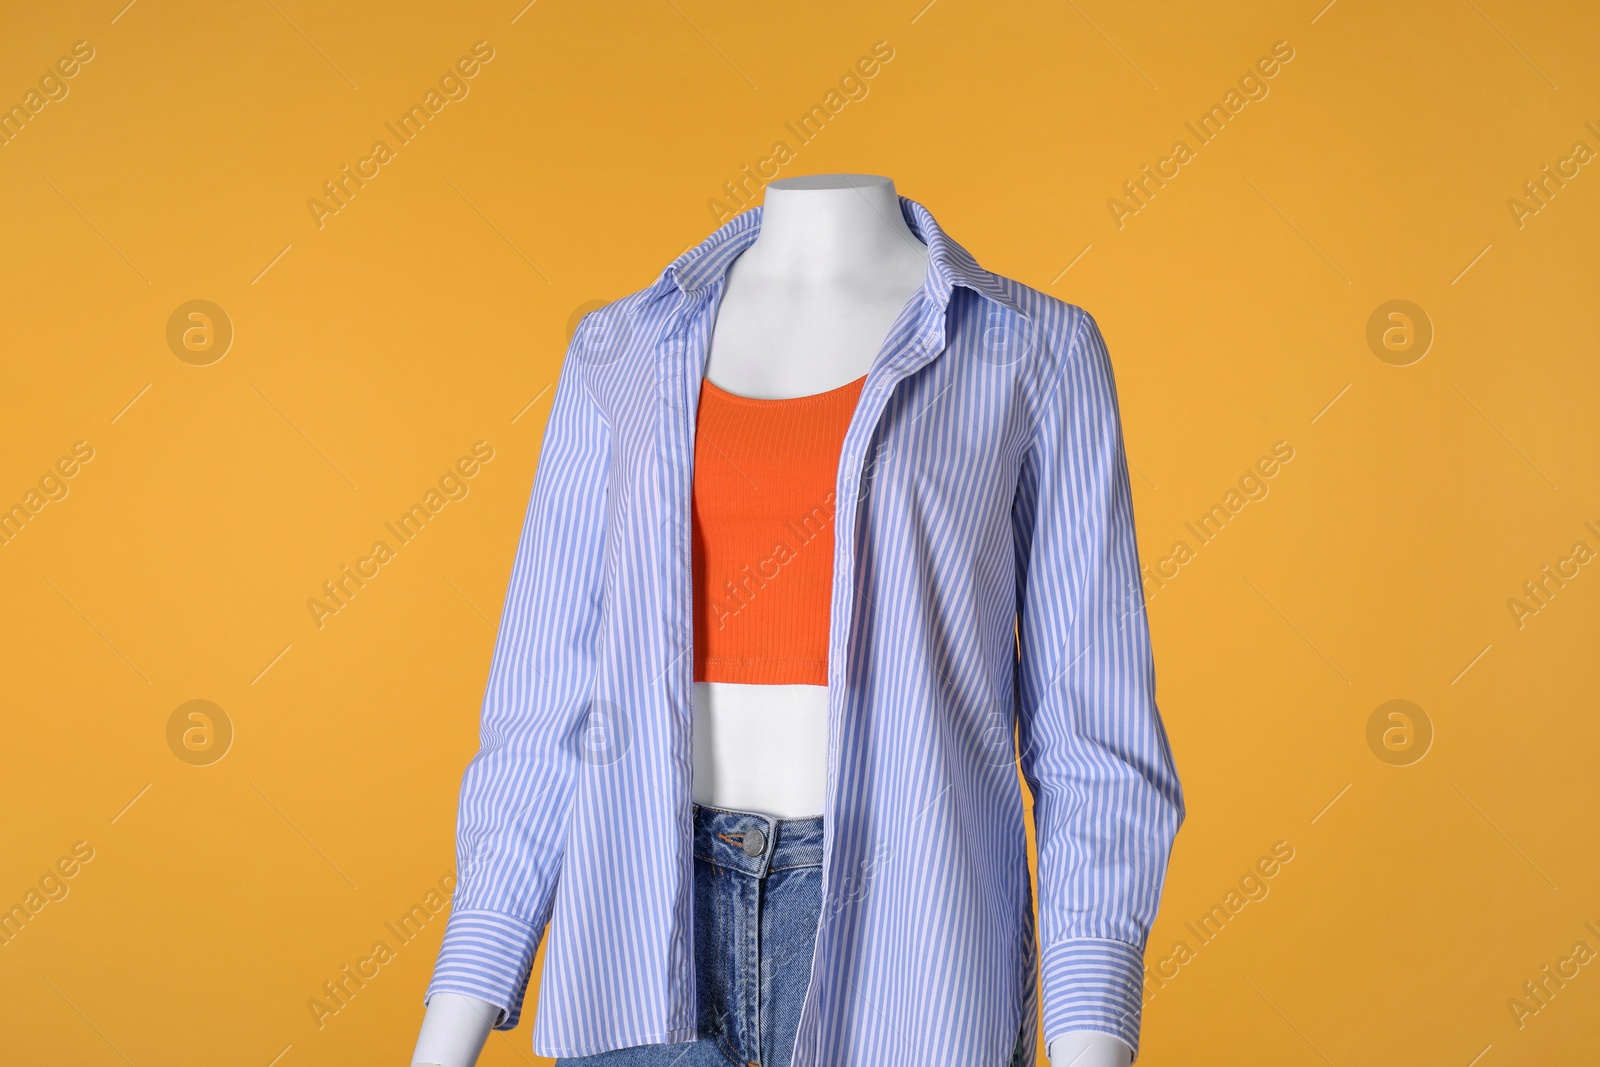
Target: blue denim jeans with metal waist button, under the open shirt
[[758, 901]]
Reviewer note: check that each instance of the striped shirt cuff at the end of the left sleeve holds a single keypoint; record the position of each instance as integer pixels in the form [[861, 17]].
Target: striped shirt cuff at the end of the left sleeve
[[487, 956]]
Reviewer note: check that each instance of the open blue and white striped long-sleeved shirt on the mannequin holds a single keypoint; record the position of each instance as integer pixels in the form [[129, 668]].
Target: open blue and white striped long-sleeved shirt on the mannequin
[[986, 604]]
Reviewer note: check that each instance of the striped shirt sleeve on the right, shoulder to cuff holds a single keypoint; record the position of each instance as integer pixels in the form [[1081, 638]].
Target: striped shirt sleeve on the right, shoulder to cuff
[[1094, 751]]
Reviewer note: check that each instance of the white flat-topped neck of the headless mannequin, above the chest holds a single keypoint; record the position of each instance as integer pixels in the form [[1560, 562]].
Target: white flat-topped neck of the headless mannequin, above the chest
[[831, 230]]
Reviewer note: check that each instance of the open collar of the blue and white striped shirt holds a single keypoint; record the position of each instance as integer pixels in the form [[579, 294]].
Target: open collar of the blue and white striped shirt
[[950, 265]]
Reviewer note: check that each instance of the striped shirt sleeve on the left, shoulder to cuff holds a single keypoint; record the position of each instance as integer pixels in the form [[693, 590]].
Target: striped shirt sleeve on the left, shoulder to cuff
[[516, 791]]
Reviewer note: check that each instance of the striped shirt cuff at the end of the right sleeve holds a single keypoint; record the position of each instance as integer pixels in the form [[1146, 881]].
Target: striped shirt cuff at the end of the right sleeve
[[1094, 985]]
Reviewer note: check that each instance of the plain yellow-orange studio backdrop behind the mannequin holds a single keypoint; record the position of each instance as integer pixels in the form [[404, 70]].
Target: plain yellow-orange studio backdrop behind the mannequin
[[431, 313]]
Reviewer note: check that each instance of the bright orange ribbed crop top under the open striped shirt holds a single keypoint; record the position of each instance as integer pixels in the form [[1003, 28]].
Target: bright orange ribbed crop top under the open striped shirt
[[762, 521]]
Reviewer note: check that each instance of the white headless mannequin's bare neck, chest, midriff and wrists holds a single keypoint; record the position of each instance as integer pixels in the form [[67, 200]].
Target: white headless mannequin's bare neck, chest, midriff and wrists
[[806, 311]]
